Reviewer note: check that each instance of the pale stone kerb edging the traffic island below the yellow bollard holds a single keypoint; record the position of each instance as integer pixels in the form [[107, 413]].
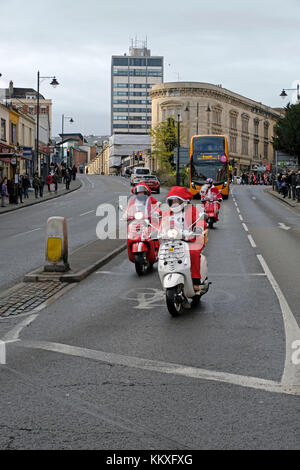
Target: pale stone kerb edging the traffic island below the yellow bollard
[[40, 276]]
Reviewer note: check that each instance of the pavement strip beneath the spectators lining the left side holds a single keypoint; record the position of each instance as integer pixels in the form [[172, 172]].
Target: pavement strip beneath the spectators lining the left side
[[61, 190]]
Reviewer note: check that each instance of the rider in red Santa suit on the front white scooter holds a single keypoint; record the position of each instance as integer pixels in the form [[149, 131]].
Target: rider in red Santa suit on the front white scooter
[[183, 214]]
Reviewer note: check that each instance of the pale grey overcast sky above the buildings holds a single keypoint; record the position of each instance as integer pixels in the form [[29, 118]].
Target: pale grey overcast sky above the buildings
[[250, 47]]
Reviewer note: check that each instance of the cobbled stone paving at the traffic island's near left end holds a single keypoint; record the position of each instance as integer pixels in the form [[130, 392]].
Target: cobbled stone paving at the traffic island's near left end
[[25, 297]]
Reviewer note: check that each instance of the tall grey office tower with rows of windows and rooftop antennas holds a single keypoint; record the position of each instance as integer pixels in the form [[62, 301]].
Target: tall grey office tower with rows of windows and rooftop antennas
[[132, 77]]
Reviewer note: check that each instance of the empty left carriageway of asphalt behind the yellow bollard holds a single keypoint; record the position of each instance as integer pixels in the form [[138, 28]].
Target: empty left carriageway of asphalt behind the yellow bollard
[[22, 232]]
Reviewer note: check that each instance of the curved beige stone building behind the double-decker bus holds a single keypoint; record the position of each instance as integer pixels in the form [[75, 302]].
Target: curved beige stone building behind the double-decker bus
[[247, 124]]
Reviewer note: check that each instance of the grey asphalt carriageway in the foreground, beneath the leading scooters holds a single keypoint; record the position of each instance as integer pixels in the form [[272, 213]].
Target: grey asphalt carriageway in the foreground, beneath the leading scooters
[[106, 366]]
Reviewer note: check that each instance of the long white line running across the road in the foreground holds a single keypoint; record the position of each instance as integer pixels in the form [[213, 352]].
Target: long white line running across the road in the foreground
[[164, 367]]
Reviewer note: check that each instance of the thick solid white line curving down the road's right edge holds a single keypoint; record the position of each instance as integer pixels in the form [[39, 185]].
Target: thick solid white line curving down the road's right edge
[[291, 373]]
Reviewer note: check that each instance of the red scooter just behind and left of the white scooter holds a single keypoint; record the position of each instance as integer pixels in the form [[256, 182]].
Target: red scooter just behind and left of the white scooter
[[142, 250]]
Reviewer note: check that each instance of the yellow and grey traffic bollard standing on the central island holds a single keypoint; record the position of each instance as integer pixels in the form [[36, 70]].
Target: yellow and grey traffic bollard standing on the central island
[[56, 245]]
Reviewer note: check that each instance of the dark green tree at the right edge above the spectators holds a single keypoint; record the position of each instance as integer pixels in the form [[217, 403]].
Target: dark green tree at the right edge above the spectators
[[287, 132]]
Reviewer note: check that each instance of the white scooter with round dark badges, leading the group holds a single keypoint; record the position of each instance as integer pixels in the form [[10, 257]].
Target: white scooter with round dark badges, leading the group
[[174, 268]]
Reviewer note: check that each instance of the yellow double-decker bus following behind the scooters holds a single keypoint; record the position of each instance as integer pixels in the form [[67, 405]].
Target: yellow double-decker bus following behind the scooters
[[209, 158]]
